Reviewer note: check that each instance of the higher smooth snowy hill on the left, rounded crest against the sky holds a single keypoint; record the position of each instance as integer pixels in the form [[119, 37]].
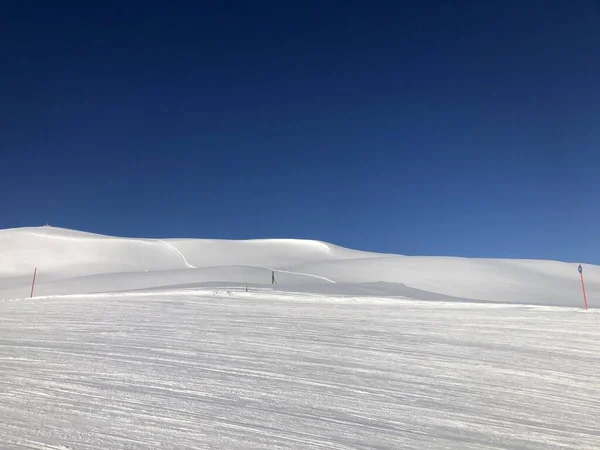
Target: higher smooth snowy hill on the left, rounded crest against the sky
[[72, 253]]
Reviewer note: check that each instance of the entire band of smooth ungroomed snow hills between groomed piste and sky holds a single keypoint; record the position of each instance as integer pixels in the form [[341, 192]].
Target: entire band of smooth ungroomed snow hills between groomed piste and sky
[[72, 262]]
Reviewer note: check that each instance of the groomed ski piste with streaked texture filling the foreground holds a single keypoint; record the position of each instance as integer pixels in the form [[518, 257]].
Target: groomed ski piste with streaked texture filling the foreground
[[266, 371]]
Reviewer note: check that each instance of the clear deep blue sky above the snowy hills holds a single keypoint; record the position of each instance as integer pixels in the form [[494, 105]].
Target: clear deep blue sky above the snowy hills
[[434, 128]]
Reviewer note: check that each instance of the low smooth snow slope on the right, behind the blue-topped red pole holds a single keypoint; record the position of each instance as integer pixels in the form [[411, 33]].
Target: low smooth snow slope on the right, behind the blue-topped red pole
[[498, 280]]
